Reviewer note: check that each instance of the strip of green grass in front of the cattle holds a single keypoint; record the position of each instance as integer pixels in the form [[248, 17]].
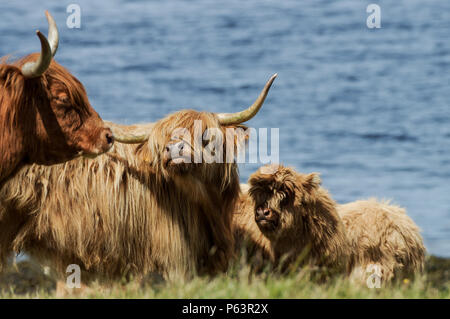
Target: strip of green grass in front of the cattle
[[27, 280]]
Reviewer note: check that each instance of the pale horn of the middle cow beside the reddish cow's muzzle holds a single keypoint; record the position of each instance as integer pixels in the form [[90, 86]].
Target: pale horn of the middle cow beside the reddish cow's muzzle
[[130, 134]]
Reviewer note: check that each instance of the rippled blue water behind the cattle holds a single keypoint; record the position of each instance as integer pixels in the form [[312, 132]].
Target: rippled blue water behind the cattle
[[368, 108]]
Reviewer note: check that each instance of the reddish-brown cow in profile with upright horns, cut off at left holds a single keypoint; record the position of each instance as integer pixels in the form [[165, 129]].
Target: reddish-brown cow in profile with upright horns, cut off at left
[[45, 115]]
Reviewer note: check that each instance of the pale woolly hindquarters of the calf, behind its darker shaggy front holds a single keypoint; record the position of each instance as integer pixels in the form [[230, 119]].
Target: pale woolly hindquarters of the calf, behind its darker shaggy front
[[382, 234]]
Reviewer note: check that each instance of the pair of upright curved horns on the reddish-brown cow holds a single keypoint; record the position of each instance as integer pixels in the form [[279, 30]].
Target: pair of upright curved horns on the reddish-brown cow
[[48, 49]]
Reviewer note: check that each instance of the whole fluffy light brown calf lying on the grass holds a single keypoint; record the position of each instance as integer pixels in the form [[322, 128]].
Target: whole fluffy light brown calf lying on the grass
[[294, 215]]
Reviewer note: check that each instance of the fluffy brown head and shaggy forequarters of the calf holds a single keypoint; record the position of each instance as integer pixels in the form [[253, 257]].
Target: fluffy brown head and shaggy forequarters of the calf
[[300, 220]]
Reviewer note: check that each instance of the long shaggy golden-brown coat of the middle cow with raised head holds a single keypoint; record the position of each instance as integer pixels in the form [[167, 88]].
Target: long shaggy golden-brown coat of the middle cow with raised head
[[132, 211]]
